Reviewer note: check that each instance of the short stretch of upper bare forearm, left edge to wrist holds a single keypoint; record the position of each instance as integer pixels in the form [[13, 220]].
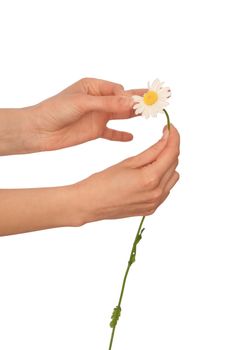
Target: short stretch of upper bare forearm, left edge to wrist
[[17, 131]]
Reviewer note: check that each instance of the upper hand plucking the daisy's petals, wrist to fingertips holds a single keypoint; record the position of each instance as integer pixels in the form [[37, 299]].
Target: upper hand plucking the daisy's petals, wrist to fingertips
[[81, 112]]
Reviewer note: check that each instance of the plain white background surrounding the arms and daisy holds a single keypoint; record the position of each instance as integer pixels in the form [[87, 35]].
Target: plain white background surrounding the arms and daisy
[[58, 287]]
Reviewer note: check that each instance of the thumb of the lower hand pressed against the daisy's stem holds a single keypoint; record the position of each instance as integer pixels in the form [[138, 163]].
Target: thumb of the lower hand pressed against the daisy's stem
[[152, 153]]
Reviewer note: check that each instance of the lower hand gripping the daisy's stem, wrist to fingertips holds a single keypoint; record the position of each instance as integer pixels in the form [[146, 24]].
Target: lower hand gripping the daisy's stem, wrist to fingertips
[[135, 186]]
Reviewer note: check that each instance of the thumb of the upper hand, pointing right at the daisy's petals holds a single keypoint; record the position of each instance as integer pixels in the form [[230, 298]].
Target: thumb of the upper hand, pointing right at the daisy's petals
[[112, 104]]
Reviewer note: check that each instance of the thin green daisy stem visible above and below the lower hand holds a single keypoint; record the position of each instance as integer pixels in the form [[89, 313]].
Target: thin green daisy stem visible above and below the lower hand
[[138, 236]]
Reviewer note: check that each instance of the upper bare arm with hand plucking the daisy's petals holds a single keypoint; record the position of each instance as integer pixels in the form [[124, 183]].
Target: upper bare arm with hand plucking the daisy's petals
[[78, 114]]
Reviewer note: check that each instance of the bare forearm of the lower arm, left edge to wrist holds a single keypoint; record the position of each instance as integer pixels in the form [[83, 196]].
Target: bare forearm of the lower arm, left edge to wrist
[[24, 210]]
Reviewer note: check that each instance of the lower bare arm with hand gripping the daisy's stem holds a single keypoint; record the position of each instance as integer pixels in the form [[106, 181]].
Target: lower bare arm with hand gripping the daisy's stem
[[133, 187]]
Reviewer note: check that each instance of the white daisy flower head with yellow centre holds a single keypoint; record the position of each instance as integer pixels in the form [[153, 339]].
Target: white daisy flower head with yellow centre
[[153, 101]]
